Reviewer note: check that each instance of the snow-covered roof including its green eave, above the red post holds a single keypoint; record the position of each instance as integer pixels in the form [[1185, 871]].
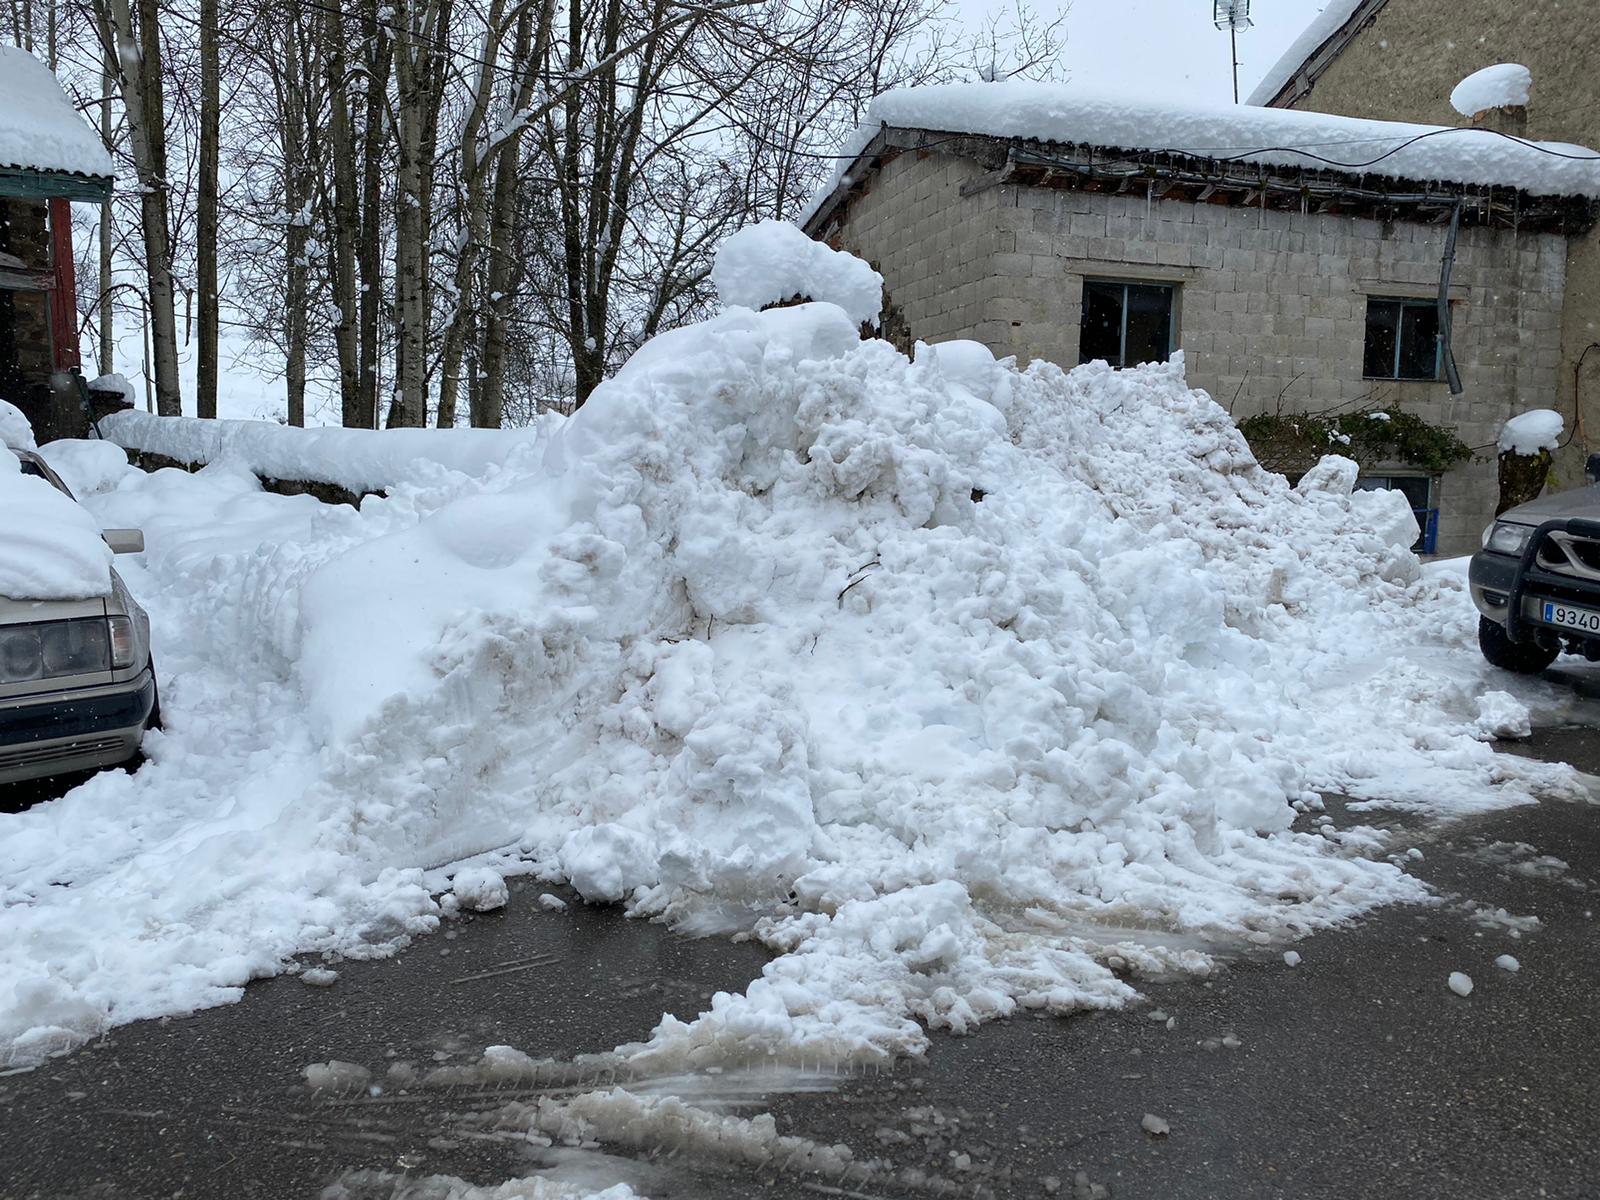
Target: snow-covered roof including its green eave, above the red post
[[47, 150]]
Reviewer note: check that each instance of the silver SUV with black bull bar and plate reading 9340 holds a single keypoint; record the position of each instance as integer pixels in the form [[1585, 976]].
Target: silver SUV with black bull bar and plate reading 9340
[[1537, 582]]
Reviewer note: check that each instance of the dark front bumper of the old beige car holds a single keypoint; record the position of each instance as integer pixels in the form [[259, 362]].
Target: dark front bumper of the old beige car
[[74, 732]]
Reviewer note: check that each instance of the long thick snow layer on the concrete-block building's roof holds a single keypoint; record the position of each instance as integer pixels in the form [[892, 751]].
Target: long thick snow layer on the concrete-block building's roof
[[1071, 116]]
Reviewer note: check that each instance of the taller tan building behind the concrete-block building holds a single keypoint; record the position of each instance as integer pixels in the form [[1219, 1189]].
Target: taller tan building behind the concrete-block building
[[1404, 58]]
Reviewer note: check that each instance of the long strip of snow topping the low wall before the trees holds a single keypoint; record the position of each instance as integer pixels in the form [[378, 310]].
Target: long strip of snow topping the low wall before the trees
[[359, 460]]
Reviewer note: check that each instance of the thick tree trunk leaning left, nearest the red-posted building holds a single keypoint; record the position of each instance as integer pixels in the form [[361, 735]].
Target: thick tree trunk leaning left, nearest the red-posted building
[[142, 89]]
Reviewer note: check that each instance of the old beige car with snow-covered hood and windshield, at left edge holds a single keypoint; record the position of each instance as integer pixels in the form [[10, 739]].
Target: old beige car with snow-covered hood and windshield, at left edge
[[78, 686]]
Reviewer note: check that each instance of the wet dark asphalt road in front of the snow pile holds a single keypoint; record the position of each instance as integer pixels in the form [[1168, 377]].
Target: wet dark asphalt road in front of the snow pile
[[1356, 1073]]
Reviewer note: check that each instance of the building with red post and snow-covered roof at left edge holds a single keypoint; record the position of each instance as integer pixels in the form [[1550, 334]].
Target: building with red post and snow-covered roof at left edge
[[49, 159]]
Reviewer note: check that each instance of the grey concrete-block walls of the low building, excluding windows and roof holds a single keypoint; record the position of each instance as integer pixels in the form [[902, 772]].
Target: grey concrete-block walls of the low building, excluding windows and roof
[[1271, 306]]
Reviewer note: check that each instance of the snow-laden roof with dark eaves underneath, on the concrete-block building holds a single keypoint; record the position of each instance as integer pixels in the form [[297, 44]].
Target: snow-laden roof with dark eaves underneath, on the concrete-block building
[[1058, 135]]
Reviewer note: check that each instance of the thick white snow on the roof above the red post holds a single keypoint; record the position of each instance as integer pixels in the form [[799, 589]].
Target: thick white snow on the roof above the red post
[[39, 127]]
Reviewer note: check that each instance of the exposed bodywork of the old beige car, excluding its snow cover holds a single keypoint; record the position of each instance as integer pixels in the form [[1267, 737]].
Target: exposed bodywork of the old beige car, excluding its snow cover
[[78, 687]]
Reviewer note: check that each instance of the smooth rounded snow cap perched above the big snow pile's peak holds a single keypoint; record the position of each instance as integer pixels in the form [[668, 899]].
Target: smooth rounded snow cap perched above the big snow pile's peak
[[772, 262]]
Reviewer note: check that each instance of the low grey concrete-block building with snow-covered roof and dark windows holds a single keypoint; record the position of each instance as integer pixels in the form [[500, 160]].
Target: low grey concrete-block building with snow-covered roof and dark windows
[[1294, 258]]
